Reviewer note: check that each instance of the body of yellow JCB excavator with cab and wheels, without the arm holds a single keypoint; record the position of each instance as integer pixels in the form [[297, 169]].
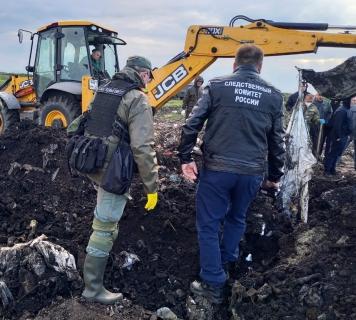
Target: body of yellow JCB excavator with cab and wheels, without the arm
[[62, 76]]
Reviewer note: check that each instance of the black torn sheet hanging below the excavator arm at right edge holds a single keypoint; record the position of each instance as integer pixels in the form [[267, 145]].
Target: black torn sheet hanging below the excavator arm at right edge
[[338, 83]]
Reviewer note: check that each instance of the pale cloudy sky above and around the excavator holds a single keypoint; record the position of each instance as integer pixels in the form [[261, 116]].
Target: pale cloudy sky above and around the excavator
[[157, 29]]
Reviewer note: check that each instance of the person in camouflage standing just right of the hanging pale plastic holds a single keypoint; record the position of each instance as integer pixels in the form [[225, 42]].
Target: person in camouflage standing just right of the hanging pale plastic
[[312, 118]]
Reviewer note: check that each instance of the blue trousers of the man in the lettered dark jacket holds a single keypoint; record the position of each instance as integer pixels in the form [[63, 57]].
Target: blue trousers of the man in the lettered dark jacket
[[222, 198]]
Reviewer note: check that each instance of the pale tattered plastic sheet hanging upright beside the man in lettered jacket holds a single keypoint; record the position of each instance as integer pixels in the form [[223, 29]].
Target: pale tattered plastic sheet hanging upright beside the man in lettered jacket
[[297, 167]]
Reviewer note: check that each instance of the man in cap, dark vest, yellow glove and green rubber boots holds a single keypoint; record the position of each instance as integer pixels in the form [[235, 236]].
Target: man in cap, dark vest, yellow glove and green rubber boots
[[135, 112]]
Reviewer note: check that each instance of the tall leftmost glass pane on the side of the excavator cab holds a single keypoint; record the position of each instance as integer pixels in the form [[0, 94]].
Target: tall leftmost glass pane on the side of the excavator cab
[[45, 64]]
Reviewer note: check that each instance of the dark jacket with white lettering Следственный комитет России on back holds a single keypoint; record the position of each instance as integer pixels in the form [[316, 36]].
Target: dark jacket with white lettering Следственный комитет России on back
[[244, 129]]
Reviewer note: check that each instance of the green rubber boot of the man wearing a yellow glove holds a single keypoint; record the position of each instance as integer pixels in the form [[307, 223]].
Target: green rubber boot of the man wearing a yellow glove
[[94, 269]]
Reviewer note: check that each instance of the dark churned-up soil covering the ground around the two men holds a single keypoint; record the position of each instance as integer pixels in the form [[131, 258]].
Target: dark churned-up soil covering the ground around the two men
[[298, 271]]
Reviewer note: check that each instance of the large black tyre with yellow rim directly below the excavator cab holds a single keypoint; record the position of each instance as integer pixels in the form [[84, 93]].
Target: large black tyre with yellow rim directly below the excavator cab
[[59, 111]]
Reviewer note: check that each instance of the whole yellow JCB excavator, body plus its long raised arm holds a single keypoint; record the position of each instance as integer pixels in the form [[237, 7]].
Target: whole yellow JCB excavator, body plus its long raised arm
[[63, 79]]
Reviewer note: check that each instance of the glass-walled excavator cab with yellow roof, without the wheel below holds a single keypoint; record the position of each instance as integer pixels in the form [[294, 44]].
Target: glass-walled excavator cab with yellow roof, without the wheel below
[[64, 54]]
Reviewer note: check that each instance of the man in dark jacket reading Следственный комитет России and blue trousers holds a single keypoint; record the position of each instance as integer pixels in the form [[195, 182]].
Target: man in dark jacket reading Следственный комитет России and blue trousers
[[244, 132]]
